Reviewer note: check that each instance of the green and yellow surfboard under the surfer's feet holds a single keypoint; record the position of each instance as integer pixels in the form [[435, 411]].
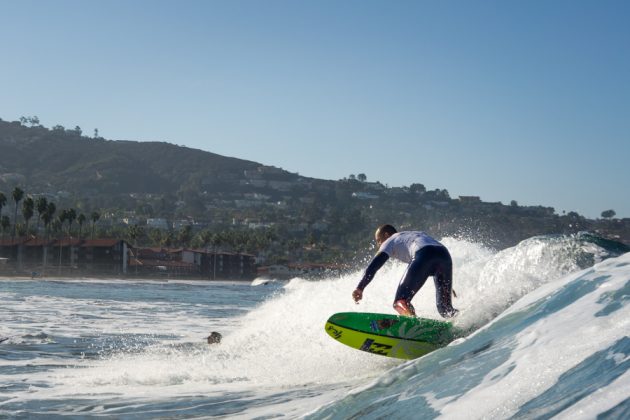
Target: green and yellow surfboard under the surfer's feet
[[388, 335]]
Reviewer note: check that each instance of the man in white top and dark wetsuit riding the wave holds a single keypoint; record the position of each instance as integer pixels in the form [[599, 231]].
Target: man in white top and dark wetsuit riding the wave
[[425, 256]]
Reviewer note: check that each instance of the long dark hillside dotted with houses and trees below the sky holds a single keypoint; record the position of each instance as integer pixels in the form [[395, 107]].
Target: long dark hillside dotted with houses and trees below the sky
[[248, 206]]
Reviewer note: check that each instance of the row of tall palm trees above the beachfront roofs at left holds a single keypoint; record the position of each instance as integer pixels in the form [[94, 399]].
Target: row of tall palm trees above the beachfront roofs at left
[[46, 212]]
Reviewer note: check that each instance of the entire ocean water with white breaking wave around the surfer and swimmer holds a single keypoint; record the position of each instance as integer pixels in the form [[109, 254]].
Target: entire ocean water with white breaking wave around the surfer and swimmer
[[548, 322]]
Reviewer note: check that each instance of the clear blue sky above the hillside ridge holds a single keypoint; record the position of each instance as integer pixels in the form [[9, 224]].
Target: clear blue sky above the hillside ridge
[[508, 100]]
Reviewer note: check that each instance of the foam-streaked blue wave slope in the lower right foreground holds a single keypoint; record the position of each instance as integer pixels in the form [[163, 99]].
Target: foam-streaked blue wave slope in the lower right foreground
[[561, 350]]
